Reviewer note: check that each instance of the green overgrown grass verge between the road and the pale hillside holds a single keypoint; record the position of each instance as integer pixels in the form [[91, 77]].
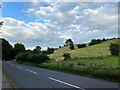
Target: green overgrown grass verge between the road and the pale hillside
[[97, 68]]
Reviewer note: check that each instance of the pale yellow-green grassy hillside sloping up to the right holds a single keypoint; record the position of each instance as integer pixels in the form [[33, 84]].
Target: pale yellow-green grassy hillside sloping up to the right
[[95, 51]]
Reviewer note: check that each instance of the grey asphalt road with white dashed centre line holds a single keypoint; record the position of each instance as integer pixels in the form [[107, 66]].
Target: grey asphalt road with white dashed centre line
[[31, 77]]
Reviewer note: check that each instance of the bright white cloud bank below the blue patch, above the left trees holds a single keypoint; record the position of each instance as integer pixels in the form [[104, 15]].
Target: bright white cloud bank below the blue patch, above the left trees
[[31, 34]]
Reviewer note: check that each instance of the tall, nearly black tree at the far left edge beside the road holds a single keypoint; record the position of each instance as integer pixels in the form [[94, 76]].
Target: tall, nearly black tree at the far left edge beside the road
[[6, 50]]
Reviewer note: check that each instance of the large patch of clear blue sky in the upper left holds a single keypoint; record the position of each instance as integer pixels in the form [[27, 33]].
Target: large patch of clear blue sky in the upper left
[[16, 10]]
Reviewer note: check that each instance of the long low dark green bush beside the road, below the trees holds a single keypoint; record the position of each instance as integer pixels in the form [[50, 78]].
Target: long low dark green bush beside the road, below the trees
[[34, 58]]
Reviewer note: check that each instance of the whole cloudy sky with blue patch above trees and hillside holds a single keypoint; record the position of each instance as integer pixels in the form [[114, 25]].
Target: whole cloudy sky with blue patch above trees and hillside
[[49, 24]]
